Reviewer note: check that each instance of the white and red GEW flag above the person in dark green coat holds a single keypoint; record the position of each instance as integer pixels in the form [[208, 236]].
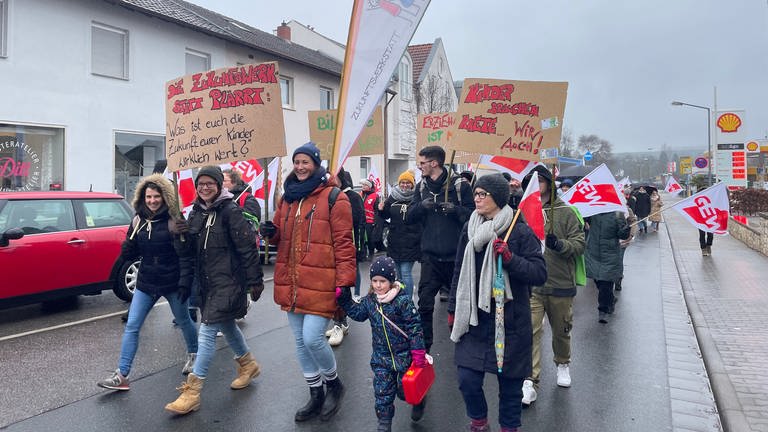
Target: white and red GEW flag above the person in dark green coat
[[596, 193]]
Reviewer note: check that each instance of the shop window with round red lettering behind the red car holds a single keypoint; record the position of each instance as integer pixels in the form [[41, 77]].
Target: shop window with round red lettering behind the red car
[[31, 158]]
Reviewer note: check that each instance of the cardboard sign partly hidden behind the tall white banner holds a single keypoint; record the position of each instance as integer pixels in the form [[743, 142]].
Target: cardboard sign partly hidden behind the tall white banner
[[322, 127]]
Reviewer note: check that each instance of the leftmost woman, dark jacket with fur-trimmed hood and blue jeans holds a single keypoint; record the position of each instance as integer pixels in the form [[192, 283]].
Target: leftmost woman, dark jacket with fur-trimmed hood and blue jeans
[[150, 237]]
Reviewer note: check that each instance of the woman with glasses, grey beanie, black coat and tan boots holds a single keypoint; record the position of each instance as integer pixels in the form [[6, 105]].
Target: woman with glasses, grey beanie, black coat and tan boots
[[226, 266]]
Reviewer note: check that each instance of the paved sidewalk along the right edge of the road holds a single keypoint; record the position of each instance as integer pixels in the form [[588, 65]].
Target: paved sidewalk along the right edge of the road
[[727, 299]]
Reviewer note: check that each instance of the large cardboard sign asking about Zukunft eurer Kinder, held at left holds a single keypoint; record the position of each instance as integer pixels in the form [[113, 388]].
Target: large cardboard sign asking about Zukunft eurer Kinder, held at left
[[224, 115]]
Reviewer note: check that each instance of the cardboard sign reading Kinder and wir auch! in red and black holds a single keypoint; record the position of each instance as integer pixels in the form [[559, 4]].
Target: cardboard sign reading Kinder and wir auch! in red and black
[[517, 119]]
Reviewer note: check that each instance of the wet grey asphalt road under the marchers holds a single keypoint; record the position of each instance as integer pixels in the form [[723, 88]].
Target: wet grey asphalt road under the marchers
[[47, 379]]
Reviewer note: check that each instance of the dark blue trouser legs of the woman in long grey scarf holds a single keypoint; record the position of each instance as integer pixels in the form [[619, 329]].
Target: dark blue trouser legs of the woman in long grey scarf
[[510, 397]]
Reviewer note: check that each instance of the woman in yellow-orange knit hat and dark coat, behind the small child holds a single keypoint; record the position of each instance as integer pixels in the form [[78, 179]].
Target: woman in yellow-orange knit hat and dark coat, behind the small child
[[403, 241]]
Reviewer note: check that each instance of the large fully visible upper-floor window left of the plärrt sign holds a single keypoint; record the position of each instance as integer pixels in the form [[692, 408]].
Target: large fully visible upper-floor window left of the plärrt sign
[[109, 51]]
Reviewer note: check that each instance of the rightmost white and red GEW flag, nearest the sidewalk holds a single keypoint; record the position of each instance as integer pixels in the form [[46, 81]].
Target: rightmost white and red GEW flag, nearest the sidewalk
[[708, 210]]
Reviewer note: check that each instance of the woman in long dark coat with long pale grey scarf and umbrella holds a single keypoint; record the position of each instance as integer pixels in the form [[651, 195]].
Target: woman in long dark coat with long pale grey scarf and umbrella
[[472, 309]]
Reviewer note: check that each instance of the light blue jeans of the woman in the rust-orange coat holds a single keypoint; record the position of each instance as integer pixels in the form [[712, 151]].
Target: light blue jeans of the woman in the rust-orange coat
[[312, 350]]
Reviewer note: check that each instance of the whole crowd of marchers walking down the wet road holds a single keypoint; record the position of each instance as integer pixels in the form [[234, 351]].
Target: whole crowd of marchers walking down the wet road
[[501, 279]]
